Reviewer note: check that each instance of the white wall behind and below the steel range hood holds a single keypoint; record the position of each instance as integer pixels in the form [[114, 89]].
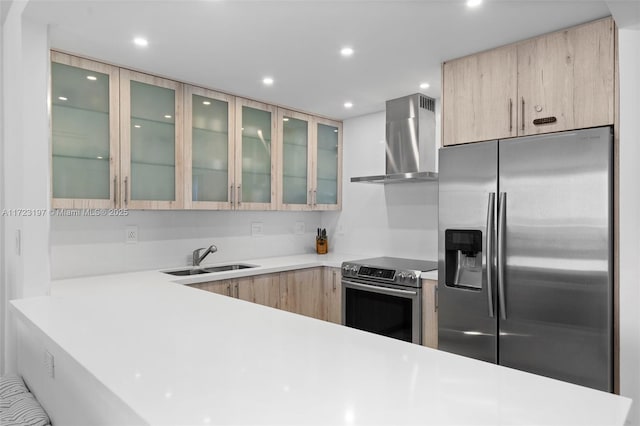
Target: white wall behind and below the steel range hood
[[398, 220]]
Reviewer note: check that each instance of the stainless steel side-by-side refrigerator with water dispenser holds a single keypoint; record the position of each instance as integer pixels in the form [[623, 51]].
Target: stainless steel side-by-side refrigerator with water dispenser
[[525, 254]]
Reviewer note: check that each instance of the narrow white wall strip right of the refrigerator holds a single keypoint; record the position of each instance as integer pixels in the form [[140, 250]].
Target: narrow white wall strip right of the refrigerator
[[629, 50]]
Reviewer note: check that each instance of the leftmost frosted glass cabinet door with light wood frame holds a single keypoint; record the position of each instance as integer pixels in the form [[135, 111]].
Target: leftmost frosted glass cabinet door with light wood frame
[[84, 125]]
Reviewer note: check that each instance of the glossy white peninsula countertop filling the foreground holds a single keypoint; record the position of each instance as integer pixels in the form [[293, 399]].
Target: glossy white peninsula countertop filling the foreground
[[178, 355]]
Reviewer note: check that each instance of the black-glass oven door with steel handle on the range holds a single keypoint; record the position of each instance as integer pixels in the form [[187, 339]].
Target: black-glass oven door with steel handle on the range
[[391, 312]]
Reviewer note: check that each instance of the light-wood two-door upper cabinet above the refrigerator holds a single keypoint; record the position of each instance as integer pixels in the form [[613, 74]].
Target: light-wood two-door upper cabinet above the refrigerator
[[559, 81]]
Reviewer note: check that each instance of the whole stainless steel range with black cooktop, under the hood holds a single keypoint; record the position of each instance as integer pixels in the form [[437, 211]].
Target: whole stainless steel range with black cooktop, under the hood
[[383, 295]]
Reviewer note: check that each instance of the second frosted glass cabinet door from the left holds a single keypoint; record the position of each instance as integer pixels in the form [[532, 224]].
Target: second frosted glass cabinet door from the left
[[151, 142]]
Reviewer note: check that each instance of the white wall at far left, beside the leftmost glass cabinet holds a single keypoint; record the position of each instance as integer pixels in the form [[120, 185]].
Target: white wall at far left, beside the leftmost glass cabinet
[[25, 162]]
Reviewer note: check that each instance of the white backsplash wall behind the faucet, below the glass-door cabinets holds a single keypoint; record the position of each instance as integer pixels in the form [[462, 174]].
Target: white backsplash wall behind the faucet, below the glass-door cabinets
[[96, 245]]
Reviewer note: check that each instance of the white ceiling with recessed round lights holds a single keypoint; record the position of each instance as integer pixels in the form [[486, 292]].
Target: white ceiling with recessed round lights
[[230, 45]]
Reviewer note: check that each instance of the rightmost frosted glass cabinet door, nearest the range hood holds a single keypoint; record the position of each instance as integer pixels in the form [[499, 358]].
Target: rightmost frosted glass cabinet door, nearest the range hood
[[328, 143]]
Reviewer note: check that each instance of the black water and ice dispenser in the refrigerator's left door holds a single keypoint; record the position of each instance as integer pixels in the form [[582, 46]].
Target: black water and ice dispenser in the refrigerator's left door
[[463, 258]]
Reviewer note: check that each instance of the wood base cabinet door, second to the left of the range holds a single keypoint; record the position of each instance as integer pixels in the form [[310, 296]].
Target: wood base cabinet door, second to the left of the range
[[302, 292]]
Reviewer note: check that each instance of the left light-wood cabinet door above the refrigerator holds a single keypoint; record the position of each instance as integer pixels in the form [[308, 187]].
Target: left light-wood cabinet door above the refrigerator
[[479, 96]]
